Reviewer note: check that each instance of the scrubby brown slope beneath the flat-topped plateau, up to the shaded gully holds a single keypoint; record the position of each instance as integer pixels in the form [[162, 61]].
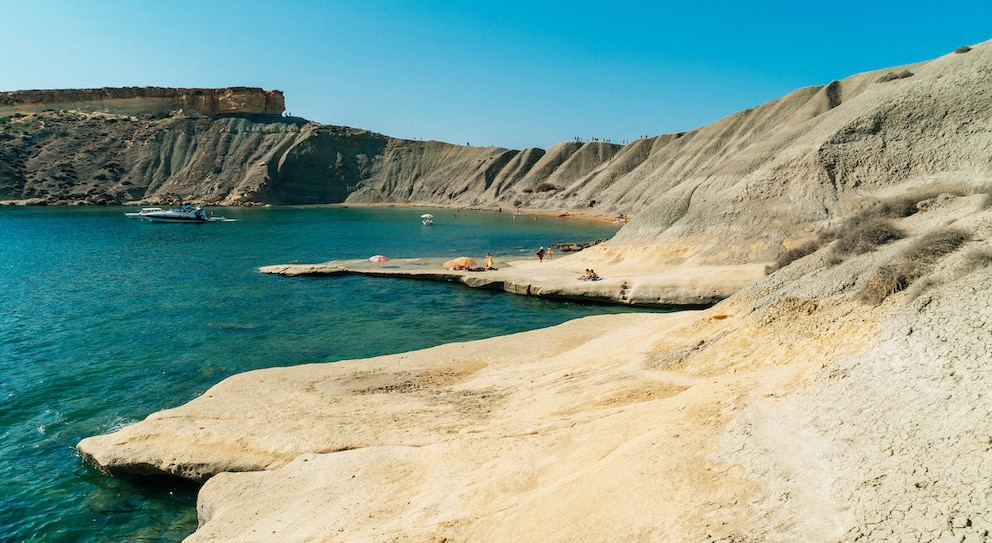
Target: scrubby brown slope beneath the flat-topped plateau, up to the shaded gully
[[90, 158]]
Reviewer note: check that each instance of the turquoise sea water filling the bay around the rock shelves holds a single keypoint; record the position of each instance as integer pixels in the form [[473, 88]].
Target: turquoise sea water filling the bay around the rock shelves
[[104, 320]]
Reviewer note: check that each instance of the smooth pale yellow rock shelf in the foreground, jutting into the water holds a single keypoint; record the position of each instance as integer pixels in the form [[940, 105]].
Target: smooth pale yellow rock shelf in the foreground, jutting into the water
[[593, 430]]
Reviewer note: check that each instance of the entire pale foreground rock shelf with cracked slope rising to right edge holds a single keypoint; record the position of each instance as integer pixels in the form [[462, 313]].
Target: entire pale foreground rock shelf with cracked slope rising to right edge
[[795, 410]]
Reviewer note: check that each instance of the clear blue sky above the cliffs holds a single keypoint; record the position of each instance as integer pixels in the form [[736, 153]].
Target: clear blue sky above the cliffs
[[512, 74]]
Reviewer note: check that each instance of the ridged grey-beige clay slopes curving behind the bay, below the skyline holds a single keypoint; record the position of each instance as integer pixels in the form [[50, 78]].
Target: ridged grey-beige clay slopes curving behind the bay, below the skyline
[[757, 181]]
